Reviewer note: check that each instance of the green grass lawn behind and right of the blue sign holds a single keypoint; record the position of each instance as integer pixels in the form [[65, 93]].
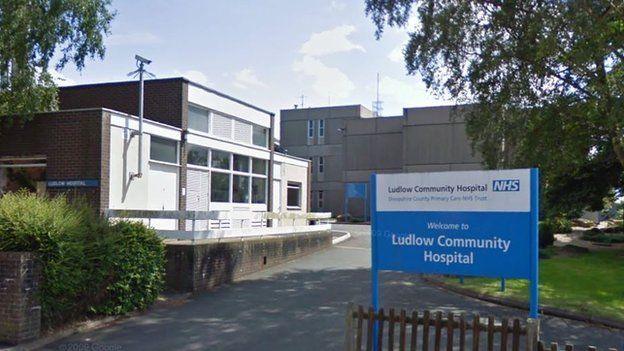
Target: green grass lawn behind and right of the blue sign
[[591, 283]]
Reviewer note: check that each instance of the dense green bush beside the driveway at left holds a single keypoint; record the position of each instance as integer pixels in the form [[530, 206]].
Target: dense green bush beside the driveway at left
[[88, 264]]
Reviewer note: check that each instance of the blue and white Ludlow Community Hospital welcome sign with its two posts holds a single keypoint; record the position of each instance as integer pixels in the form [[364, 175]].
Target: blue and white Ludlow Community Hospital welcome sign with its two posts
[[469, 223]]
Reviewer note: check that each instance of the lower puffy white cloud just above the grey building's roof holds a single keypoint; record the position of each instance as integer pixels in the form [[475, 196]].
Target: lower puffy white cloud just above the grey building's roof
[[328, 81]]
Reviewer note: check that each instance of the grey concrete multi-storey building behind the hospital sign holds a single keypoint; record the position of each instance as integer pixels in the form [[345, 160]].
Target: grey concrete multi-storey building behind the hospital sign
[[348, 143]]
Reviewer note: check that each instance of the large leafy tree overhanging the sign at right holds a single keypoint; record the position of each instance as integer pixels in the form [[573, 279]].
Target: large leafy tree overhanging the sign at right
[[546, 79]]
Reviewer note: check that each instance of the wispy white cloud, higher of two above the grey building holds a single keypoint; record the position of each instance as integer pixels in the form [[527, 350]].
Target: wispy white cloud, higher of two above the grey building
[[330, 41]]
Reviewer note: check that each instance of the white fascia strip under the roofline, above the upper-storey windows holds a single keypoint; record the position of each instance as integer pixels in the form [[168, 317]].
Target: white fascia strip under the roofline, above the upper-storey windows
[[213, 101]]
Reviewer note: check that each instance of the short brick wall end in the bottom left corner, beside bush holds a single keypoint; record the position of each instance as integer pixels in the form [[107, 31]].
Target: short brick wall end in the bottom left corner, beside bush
[[20, 312]]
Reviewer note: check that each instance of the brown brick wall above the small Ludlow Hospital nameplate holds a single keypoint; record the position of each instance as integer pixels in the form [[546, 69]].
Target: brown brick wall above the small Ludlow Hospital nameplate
[[71, 141]]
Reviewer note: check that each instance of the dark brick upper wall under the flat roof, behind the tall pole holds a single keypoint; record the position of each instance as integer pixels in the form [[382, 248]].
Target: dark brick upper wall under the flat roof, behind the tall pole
[[164, 99]]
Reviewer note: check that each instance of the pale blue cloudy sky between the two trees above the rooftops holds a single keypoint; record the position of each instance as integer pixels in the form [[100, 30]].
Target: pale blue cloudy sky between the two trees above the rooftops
[[267, 52]]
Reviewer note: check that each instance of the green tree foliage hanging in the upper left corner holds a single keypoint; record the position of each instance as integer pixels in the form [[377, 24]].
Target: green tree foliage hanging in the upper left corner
[[32, 33]]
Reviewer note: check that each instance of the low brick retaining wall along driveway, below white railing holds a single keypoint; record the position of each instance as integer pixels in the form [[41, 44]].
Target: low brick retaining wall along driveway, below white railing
[[206, 264]]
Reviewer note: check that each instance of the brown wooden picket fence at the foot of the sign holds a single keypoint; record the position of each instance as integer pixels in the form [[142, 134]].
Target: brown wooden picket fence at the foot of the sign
[[437, 331]]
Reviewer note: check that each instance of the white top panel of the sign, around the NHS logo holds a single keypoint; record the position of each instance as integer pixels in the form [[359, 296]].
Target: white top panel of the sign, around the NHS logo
[[471, 191]]
